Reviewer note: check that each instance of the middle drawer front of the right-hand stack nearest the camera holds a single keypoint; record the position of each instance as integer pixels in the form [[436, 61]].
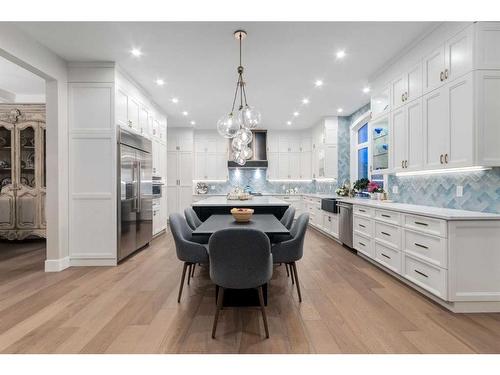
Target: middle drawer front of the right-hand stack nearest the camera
[[432, 249]]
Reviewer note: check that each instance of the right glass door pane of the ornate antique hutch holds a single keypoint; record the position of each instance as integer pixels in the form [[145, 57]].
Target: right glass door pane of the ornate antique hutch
[[26, 178]]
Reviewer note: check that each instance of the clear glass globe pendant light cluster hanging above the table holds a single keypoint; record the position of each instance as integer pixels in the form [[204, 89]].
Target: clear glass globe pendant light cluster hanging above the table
[[237, 126]]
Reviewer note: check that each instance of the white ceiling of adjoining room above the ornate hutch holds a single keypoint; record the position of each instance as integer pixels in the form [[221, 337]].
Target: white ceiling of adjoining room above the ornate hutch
[[19, 81]]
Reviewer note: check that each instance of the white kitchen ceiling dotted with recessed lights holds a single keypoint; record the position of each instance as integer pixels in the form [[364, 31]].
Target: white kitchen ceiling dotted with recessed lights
[[198, 62]]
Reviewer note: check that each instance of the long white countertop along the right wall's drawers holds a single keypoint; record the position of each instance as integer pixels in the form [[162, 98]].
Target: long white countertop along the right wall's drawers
[[436, 212]]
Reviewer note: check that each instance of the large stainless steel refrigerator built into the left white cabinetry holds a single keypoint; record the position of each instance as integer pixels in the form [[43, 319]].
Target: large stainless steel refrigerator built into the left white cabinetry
[[135, 209]]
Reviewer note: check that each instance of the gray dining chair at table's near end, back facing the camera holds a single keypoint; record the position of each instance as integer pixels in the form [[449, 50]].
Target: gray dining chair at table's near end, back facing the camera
[[240, 258]]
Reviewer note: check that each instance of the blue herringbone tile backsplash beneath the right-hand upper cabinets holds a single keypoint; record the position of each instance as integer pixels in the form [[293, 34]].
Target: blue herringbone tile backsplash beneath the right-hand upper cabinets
[[481, 190]]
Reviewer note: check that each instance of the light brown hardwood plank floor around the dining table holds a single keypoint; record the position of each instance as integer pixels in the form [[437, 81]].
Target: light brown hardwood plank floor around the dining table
[[349, 306]]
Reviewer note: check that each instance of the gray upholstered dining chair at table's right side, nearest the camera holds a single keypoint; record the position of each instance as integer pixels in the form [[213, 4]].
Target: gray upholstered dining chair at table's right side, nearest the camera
[[292, 250]]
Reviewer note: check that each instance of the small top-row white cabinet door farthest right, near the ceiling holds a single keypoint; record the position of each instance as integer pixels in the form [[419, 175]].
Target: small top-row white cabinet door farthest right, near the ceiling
[[459, 54]]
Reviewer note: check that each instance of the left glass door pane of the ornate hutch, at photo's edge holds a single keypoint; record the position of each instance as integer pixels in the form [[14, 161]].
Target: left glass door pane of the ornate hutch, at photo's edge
[[7, 199]]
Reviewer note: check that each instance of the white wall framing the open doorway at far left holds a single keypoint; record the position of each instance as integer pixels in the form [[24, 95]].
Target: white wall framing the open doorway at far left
[[23, 50]]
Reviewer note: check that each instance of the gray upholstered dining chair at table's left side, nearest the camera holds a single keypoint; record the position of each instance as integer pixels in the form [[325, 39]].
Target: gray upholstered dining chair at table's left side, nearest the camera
[[187, 251]]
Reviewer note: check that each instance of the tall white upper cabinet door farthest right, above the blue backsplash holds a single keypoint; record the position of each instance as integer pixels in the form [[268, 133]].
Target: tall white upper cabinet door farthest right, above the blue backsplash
[[461, 122]]
